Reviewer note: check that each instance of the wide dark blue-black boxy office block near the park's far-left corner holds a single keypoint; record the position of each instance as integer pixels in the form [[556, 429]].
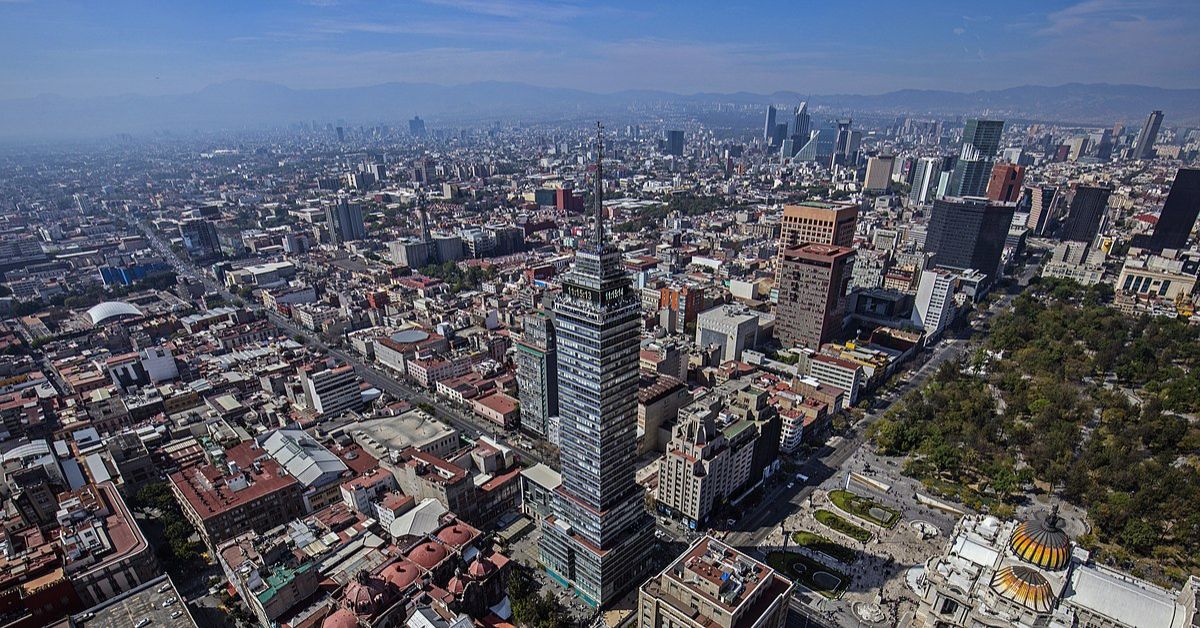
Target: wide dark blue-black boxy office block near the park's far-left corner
[[969, 234]]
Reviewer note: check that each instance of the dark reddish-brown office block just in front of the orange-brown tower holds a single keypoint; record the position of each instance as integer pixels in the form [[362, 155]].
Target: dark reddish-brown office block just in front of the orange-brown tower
[[814, 280]]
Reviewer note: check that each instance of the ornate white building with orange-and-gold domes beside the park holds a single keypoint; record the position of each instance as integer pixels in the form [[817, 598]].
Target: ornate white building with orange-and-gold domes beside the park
[[1030, 573]]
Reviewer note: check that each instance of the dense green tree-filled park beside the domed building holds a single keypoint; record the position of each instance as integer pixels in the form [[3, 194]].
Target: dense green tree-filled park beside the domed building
[[1059, 405]]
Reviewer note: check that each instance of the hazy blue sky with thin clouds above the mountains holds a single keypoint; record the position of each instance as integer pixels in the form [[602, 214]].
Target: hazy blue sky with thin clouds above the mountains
[[88, 49]]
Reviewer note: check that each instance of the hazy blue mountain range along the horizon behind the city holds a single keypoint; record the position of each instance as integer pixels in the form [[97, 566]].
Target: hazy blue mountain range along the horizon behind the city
[[254, 105]]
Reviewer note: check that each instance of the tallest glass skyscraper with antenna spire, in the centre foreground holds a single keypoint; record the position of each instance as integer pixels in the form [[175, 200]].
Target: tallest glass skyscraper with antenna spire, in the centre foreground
[[599, 534]]
